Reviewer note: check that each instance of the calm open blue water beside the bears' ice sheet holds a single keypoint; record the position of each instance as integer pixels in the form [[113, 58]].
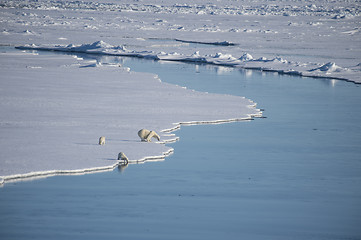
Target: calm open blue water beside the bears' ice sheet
[[293, 175]]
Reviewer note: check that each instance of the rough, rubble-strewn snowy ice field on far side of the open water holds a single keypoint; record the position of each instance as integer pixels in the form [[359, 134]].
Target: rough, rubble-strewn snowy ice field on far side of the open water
[[308, 38]]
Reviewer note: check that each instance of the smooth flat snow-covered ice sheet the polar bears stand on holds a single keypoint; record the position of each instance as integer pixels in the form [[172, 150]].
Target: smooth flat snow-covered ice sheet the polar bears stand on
[[54, 108]]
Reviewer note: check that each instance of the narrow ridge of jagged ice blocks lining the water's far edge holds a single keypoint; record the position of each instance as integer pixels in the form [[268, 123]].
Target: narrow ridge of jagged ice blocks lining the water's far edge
[[246, 61]]
